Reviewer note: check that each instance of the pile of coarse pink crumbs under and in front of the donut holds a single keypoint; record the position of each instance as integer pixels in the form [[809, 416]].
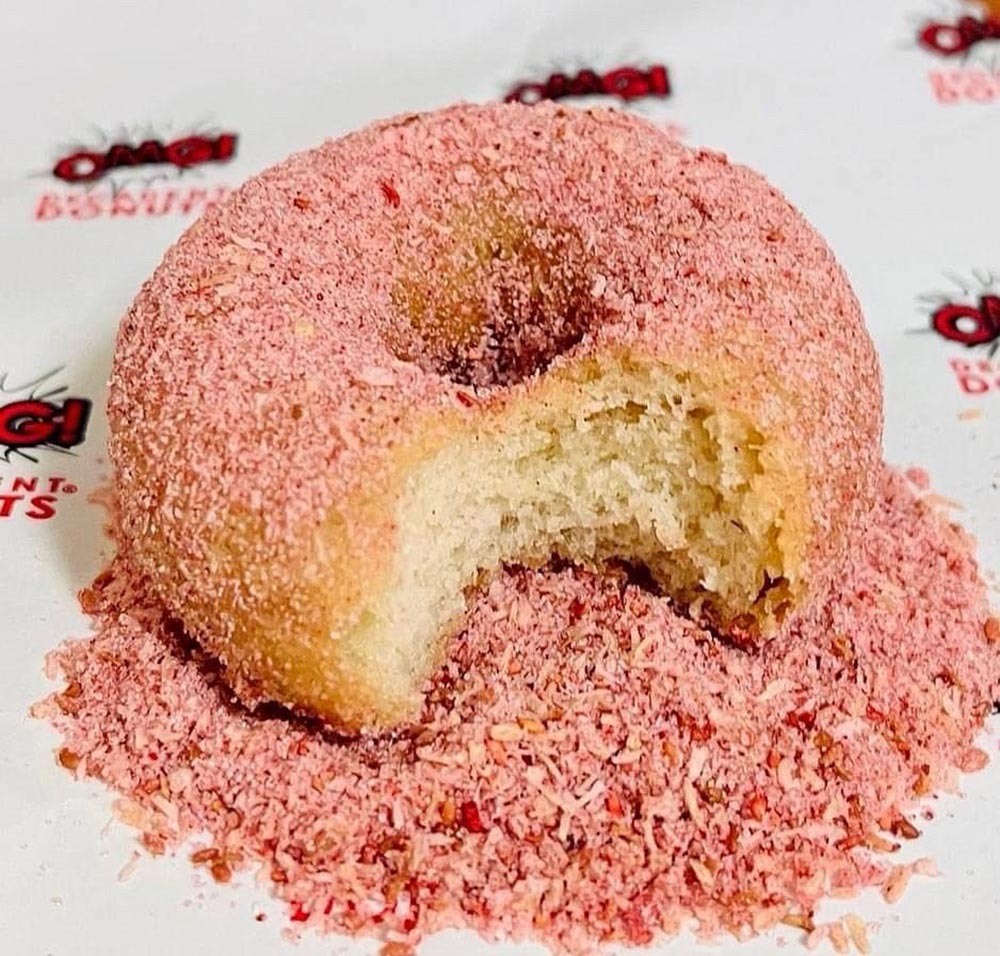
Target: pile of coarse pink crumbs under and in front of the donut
[[589, 765]]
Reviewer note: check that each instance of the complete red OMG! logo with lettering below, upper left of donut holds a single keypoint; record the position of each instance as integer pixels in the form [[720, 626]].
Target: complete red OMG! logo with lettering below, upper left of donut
[[130, 172]]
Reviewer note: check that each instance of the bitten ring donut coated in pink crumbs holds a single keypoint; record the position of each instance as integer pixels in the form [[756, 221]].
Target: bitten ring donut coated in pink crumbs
[[489, 334]]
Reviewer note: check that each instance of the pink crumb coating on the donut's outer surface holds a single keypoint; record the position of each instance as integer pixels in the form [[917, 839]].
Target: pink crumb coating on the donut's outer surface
[[255, 360]]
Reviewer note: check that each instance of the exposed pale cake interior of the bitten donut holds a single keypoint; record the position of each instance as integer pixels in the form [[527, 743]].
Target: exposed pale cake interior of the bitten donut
[[617, 461]]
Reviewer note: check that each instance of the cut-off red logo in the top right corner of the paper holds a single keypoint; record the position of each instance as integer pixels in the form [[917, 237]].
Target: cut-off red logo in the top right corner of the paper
[[969, 38]]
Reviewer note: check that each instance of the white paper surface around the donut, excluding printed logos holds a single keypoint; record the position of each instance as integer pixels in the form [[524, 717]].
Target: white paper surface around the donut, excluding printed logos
[[832, 100]]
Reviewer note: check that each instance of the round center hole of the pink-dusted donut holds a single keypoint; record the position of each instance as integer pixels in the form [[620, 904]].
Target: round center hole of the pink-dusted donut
[[492, 299]]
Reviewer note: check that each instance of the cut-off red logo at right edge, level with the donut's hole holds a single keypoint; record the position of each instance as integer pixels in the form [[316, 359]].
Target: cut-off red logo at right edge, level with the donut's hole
[[968, 315]]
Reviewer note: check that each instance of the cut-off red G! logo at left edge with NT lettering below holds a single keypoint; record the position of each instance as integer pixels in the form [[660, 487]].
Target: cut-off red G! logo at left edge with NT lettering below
[[37, 418]]
